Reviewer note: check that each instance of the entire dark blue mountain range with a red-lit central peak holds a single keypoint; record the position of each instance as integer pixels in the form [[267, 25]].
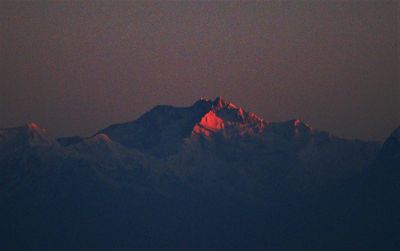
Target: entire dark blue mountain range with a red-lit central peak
[[211, 176]]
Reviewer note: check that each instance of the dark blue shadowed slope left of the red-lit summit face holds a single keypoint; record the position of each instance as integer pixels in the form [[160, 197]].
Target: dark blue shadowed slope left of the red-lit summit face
[[161, 130]]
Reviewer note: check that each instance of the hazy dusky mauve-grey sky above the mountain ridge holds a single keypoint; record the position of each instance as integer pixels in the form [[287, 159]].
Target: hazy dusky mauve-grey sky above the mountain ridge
[[77, 67]]
